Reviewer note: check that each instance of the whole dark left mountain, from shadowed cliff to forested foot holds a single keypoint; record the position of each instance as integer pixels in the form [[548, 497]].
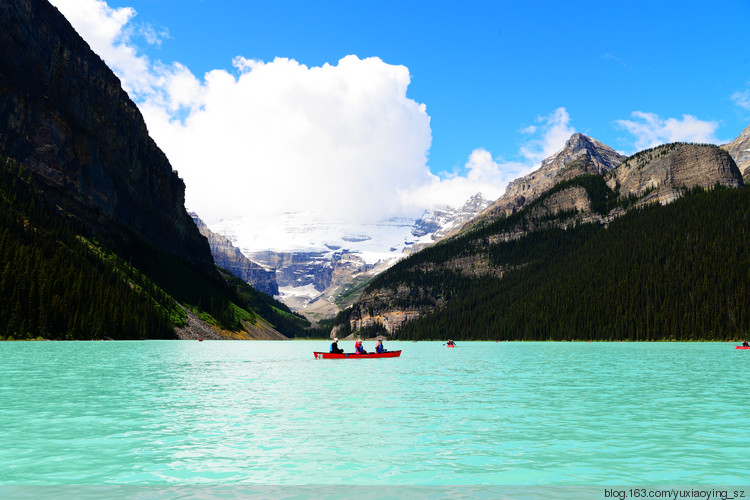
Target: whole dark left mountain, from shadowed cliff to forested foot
[[95, 241]]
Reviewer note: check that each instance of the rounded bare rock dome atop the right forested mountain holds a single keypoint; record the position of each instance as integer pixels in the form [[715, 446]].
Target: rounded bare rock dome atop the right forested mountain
[[659, 174]]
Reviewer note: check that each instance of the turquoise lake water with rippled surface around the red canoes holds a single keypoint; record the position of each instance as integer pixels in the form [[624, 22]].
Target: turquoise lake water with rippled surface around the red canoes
[[267, 413]]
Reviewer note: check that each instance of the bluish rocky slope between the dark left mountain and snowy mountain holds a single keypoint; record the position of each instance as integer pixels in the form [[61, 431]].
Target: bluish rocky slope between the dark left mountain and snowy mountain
[[229, 257]]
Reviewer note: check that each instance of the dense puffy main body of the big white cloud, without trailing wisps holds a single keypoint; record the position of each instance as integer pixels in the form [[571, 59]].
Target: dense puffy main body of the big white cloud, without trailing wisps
[[341, 140]]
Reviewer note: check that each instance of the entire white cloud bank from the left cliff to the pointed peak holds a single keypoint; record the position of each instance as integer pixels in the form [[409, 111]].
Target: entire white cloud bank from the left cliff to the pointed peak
[[340, 141]]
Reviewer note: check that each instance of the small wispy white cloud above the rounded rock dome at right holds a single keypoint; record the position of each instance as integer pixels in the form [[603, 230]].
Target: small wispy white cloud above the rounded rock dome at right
[[651, 130]]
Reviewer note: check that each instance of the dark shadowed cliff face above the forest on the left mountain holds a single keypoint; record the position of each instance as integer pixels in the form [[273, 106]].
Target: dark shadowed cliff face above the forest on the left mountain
[[65, 117]]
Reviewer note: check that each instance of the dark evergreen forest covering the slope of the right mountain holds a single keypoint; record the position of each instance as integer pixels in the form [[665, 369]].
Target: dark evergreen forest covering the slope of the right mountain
[[674, 272]]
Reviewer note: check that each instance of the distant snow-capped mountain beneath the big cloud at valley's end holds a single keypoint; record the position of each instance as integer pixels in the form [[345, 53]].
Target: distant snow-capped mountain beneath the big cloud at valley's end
[[316, 261]]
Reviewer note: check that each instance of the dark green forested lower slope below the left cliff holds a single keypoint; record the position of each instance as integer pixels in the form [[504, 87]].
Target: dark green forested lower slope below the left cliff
[[58, 281]]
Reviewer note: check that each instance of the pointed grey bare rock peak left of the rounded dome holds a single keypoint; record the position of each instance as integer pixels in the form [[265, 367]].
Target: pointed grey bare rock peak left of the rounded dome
[[581, 155]]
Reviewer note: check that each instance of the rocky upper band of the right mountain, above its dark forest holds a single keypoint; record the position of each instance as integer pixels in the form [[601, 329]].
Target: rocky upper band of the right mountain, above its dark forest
[[664, 174]]
